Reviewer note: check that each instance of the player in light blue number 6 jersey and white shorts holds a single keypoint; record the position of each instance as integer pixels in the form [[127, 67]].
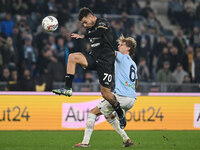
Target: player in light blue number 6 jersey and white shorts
[[125, 84]]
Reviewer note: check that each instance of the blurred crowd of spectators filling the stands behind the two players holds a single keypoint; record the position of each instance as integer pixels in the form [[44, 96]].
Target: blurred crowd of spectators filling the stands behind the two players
[[31, 58]]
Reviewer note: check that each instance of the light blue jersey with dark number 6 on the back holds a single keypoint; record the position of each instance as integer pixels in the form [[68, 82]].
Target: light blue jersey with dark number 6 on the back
[[125, 75]]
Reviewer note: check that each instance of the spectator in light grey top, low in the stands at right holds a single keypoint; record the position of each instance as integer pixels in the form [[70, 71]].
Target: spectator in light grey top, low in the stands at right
[[179, 73]]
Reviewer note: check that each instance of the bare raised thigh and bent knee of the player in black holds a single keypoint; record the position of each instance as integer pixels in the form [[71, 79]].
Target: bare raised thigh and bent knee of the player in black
[[79, 58]]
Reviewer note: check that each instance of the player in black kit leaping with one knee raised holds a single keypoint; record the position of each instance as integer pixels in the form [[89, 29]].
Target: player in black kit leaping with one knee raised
[[101, 58]]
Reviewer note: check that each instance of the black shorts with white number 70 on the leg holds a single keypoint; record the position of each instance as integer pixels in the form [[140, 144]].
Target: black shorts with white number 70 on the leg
[[104, 68]]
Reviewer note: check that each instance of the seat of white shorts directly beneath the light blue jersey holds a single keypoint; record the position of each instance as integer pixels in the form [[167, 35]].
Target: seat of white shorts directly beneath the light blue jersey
[[126, 103]]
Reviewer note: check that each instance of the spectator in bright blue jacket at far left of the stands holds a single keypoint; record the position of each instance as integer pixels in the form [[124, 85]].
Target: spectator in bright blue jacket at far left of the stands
[[7, 25]]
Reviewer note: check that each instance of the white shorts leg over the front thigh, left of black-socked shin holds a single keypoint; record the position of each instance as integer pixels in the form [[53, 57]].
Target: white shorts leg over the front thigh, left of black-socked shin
[[105, 108]]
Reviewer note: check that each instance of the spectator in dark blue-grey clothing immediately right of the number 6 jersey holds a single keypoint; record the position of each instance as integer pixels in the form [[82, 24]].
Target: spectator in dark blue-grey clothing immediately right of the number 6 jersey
[[143, 71]]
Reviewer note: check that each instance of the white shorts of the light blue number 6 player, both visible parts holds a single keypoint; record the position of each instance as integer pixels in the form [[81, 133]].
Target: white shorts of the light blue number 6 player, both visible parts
[[106, 108]]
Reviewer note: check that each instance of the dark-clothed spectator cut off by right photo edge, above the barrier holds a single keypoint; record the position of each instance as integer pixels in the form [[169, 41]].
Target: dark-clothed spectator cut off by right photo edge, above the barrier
[[195, 68]]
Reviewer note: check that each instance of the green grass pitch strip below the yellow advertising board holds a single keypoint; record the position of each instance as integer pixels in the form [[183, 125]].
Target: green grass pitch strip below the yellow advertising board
[[101, 140]]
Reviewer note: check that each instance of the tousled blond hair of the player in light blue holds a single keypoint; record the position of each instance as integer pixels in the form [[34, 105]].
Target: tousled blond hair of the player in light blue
[[130, 42]]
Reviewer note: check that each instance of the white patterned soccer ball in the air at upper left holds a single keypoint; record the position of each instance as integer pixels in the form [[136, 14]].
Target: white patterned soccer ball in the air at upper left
[[50, 23]]
